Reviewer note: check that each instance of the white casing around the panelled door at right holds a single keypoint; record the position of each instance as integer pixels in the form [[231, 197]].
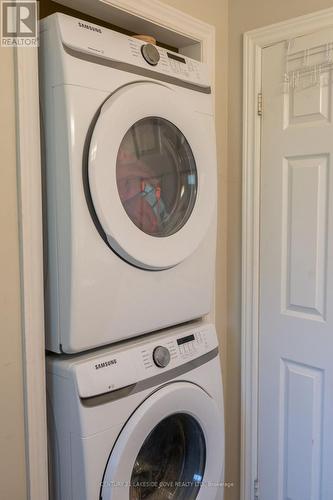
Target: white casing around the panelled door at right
[[254, 43]]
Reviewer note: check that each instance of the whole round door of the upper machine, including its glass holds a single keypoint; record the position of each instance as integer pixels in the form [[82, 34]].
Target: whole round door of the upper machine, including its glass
[[152, 171]]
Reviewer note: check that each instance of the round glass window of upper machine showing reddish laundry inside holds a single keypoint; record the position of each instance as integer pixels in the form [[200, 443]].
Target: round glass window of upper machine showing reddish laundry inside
[[156, 176]]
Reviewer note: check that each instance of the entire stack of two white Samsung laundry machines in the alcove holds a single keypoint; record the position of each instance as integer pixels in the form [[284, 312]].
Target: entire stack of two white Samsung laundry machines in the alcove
[[130, 214]]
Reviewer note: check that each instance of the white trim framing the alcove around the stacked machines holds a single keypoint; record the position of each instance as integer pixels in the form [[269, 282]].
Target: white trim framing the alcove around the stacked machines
[[153, 13]]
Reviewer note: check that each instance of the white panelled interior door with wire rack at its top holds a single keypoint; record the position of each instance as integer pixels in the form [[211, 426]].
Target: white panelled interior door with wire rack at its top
[[296, 283]]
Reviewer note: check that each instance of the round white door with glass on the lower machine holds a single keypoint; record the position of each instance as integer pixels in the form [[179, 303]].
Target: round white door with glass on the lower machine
[[172, 448]]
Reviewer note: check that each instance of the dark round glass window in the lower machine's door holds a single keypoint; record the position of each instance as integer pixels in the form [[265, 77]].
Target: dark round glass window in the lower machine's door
[[171, 461]]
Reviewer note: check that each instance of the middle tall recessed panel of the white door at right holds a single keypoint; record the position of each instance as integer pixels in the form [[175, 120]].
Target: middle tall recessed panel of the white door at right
[[304, 177]]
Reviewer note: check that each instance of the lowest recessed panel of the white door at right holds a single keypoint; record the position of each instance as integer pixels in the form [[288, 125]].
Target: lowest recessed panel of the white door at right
[[296, 378]]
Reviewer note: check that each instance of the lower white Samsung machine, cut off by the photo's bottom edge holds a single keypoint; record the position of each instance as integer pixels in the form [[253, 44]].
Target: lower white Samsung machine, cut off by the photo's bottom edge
[[141, 420]]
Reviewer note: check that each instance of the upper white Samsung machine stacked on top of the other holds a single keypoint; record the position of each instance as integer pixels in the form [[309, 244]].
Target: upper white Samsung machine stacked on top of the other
[[130, 172]]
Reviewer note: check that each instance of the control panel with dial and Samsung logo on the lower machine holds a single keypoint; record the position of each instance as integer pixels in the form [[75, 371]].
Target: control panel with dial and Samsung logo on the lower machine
[[136, 361]]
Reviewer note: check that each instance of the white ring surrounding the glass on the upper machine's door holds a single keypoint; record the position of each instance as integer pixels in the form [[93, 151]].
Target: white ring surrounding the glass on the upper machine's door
[[150, 100]]
